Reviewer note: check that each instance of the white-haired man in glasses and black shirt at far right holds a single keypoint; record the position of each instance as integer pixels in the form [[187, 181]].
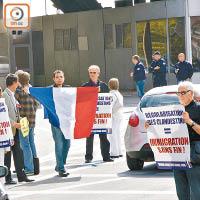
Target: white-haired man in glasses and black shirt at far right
[[188, 181]]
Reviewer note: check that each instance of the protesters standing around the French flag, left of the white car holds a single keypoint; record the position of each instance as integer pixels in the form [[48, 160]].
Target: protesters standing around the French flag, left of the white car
[[21, 104]]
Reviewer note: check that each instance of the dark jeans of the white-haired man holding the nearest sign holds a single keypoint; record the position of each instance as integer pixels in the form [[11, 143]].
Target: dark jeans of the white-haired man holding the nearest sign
[[188, 183]]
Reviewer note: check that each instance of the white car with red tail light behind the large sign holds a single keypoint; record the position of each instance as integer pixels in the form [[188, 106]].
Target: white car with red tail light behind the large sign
[[137, 147]]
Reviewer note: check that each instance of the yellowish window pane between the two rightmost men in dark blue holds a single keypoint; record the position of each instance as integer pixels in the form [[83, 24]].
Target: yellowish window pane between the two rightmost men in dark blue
[[176, 31]]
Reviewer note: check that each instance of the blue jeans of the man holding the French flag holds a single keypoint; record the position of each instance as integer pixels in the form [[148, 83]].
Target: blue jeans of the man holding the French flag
[[62, 146]]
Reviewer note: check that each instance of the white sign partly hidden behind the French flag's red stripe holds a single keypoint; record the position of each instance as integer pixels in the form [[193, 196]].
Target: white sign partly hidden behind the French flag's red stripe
[[103, 117]]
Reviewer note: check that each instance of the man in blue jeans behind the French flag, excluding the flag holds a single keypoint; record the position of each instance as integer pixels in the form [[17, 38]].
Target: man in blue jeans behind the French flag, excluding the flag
[[62, 145]]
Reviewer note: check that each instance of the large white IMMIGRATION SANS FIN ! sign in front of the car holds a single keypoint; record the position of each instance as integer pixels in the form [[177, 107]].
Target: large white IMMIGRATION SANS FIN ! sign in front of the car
[[168, 136]]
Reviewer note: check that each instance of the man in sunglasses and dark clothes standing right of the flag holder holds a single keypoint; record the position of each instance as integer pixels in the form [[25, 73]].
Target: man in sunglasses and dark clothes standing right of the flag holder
[[94, 81]]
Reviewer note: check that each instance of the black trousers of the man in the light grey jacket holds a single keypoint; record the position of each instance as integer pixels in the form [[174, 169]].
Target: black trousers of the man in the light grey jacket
[[18, 159]]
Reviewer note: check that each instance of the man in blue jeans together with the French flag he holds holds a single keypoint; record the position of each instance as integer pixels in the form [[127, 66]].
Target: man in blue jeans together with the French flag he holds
[[71, 112]]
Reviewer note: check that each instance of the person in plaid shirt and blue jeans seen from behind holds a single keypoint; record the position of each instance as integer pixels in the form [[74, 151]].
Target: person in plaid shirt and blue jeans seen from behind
[[27, 107]]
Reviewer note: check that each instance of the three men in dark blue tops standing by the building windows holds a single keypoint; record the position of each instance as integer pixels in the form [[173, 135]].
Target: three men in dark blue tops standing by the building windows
[[183, 71]]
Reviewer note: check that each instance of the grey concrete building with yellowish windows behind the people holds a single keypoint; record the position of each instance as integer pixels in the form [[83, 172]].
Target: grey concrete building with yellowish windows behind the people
[[106, 37]]
